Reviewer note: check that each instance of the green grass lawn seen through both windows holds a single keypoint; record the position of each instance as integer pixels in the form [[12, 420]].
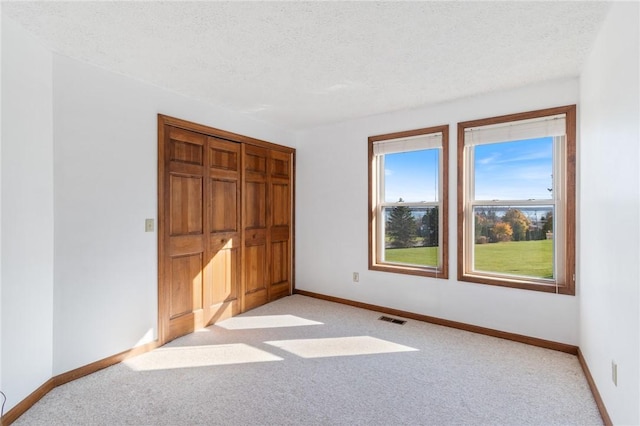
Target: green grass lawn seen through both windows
[[524, 258]]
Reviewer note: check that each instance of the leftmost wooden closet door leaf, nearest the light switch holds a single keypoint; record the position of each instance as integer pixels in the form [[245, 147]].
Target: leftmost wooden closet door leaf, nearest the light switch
[[183, 231]]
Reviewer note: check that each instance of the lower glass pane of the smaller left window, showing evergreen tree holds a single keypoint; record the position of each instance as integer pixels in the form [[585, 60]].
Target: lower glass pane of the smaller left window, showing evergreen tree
[[411, 235]]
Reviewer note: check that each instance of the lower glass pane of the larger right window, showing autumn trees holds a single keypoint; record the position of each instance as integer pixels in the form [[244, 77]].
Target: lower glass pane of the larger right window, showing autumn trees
[[514, 240]]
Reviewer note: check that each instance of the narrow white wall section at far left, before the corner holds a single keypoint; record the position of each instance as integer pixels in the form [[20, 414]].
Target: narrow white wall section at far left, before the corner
[[27, 214]]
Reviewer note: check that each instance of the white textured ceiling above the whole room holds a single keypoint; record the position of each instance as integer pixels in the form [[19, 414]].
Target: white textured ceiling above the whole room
[[303, 64]]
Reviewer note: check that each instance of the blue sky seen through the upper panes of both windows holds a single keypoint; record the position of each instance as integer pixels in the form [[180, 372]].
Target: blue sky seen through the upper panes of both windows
[[518, 170]]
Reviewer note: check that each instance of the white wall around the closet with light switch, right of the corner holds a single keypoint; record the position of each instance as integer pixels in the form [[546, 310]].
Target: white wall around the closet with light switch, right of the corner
[[105, 138]]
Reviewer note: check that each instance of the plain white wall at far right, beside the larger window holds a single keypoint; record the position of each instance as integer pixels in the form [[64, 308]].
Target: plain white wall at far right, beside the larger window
[[609, 210]]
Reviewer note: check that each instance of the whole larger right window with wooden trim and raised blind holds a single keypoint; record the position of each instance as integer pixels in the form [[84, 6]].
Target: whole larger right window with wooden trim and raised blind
[[516, 200]]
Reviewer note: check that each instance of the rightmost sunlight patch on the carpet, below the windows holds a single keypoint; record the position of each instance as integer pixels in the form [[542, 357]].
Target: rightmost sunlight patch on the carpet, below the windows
[[339, 346]]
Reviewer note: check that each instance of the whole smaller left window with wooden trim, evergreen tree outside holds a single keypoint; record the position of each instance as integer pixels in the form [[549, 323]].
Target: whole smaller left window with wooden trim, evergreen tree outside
[[408, 202]]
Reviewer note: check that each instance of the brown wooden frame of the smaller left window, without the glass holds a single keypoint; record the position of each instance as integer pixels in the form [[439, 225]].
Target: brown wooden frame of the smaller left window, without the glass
[[441, 271]]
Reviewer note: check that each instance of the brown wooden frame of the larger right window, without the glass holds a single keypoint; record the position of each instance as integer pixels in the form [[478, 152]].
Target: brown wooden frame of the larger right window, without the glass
[[567, 187]]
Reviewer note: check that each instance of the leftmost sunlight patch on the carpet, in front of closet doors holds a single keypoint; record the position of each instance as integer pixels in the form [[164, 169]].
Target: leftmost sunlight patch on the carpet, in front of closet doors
[[199, 356]]
